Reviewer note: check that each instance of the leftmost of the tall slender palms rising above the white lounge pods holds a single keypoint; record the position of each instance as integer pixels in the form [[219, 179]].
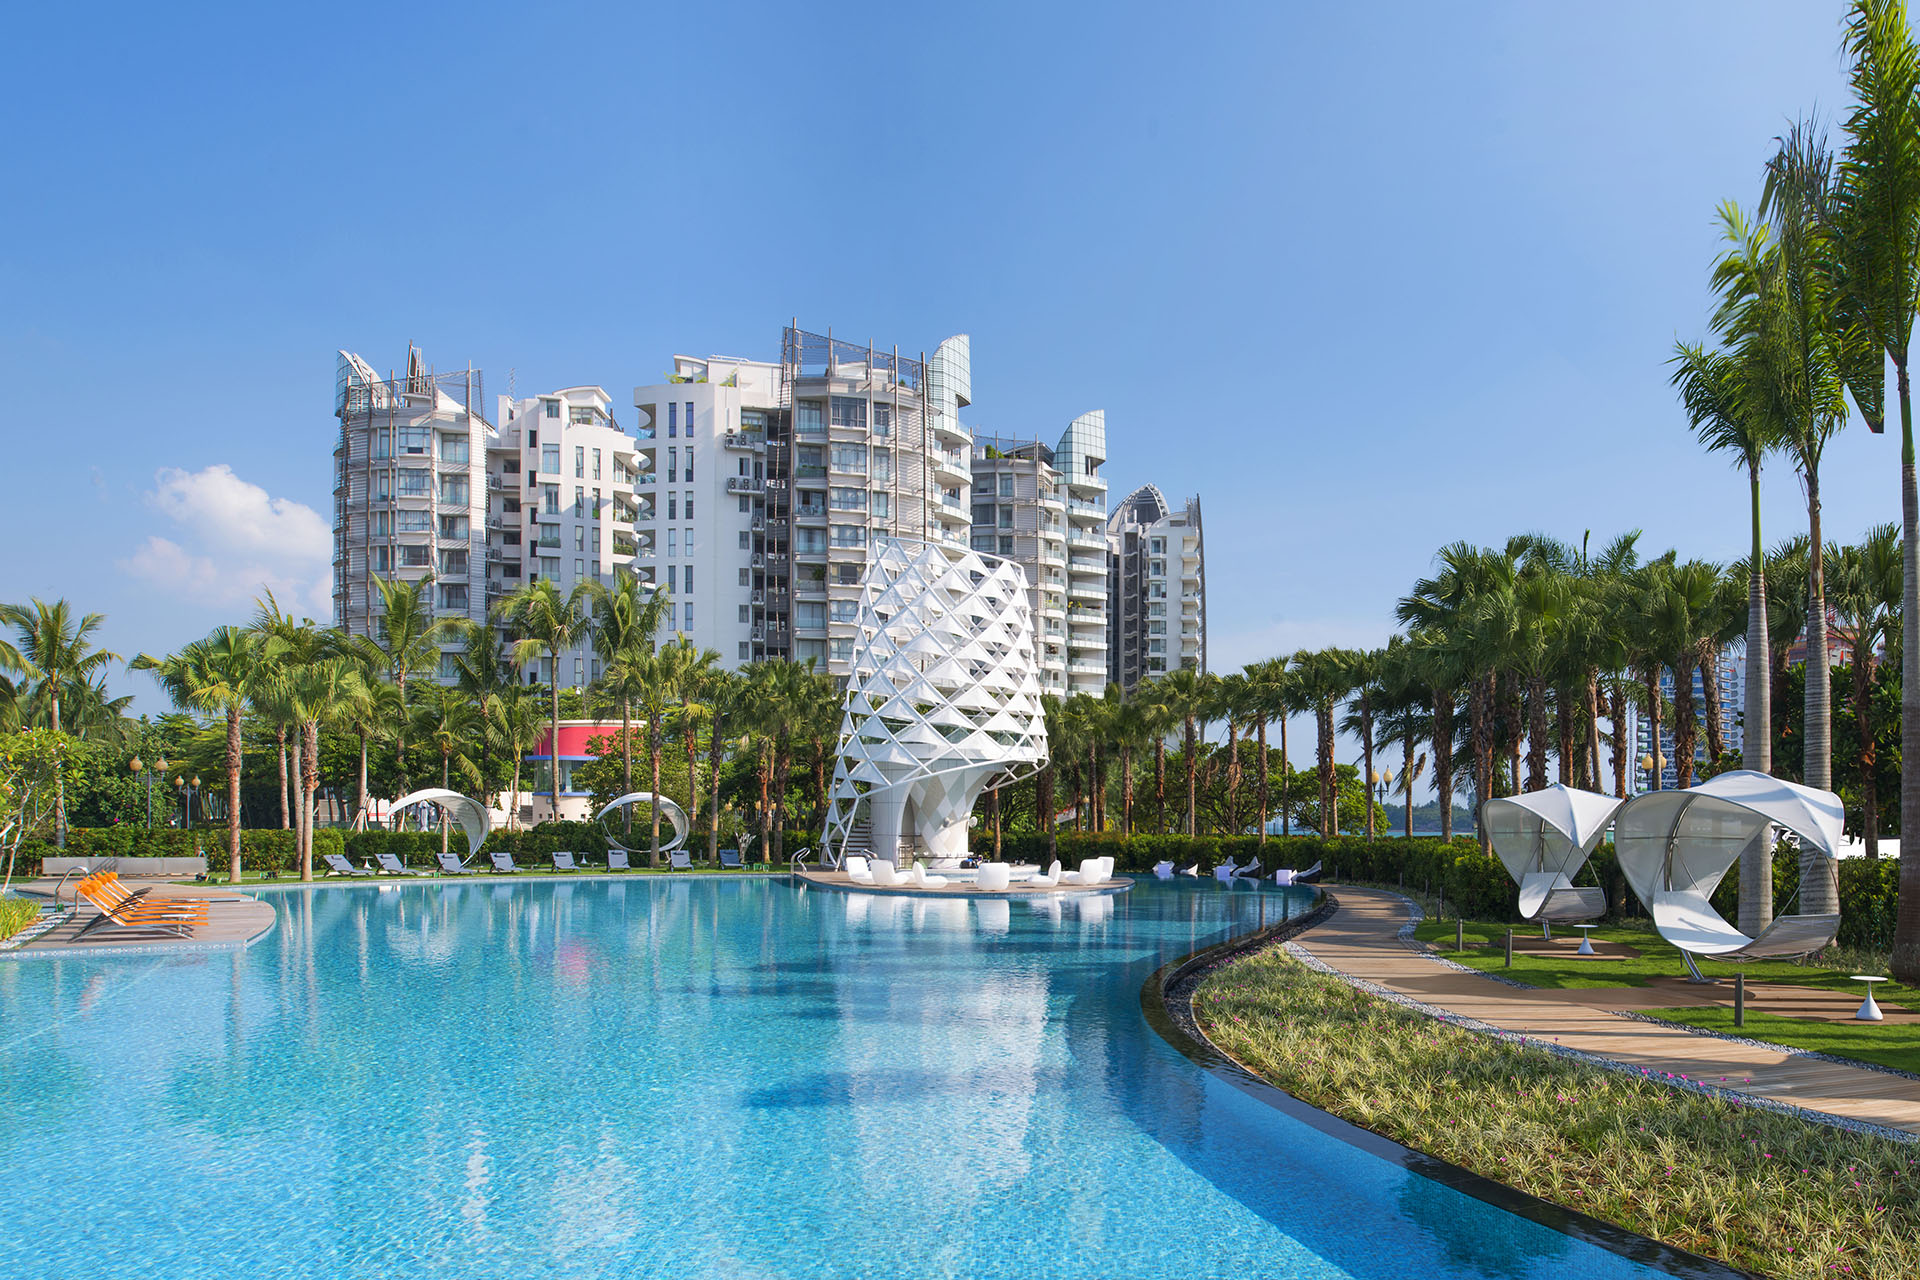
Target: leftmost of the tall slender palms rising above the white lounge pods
[[1725, 402]]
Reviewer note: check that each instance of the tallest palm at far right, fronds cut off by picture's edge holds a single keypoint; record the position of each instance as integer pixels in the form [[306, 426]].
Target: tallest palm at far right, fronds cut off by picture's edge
[[1875, 220]]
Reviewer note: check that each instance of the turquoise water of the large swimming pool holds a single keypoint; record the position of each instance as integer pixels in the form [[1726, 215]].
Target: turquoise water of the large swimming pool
[[684, 1078]]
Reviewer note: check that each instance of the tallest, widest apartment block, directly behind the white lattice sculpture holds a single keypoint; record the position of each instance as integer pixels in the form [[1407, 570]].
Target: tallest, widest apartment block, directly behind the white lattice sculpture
[[782, 475]]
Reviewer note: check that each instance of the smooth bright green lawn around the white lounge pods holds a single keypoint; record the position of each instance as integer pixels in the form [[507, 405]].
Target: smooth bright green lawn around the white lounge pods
[[1877, 1043]]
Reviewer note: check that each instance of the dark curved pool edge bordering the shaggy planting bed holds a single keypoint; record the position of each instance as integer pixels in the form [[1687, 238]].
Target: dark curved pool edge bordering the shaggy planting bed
[[1166, 1007]]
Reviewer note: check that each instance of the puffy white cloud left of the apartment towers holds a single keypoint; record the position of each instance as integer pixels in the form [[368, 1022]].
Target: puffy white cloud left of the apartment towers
[[235, 542]]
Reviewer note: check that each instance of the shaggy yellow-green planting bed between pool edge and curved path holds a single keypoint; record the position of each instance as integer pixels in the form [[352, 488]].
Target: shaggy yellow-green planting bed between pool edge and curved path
[[1756, 1189]]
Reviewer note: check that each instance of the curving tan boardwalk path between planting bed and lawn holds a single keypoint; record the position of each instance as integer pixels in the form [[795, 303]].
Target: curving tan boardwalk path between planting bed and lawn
[[1362, 939]]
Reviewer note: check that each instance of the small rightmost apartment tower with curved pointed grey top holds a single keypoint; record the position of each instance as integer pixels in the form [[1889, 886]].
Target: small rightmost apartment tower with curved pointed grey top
[[1157, 559]]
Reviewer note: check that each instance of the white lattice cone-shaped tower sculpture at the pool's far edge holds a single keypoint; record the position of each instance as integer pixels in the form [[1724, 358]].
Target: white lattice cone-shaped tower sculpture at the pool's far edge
[[944, 699]]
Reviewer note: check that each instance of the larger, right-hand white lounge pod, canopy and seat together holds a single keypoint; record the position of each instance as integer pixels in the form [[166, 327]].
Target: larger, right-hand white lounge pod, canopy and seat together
[[1677, 845]]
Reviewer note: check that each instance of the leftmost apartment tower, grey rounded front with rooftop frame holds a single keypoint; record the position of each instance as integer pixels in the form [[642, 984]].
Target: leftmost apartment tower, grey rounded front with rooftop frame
[[410, 488]]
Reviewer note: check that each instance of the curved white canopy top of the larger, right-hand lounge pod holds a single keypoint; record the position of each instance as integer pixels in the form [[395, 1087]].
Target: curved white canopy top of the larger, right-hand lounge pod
[[1685, 841]]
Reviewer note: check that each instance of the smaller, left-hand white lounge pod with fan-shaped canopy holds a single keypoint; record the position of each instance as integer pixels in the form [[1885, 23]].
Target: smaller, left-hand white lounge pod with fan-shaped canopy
[[1545, 838]]
